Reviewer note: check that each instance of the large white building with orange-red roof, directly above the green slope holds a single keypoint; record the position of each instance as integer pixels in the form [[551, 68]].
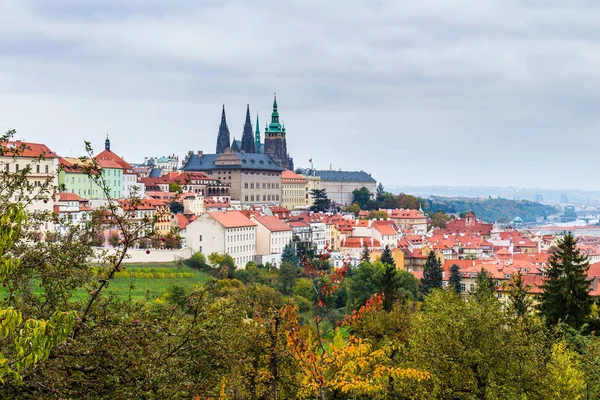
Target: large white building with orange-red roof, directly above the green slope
[[229, 232]]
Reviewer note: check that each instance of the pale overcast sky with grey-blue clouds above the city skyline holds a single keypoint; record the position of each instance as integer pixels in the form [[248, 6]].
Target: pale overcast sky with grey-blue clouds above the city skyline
[[428, 92]]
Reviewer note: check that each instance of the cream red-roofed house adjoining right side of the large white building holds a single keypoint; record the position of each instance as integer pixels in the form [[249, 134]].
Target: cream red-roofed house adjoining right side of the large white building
[[272, 235]]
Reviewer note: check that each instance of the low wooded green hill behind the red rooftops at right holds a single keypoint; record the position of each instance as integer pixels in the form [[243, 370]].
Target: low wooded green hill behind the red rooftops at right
[[491, 210]]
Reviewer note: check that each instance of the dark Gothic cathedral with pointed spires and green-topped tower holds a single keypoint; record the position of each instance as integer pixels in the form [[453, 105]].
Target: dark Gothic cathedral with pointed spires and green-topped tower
[[275, 144]]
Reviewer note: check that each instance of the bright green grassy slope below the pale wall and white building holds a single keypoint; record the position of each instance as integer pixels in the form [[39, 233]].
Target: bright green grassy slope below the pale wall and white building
[[150, 287]]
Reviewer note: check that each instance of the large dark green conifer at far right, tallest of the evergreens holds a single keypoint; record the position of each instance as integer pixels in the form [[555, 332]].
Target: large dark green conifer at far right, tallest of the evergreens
[[565, 294]]
